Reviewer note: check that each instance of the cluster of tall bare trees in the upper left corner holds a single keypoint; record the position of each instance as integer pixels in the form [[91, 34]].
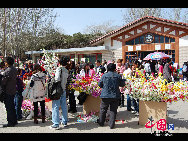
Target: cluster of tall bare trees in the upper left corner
[[16, 22]]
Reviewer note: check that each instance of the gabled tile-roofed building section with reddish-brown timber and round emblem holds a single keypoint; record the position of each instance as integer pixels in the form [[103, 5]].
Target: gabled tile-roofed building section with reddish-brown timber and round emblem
[[149, 34]]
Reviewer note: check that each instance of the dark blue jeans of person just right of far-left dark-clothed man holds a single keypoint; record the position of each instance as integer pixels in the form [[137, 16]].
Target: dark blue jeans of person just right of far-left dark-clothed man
[[18, 104]]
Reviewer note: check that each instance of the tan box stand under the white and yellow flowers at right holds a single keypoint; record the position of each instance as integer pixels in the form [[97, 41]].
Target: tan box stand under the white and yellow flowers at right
[[158, 110]]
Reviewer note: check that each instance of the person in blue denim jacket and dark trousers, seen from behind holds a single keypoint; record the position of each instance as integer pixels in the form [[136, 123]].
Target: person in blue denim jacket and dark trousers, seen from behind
[[110, 94]]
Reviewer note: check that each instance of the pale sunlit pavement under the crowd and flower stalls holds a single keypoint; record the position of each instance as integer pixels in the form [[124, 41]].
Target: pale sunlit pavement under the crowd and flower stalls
[[177, 115]]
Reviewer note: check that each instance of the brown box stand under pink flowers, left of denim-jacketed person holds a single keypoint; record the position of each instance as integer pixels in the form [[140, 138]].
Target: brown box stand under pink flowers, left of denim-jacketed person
[[92, 104]]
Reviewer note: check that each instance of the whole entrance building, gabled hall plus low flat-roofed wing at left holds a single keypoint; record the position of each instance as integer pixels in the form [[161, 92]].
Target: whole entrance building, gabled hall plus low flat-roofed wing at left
[[133, 41]]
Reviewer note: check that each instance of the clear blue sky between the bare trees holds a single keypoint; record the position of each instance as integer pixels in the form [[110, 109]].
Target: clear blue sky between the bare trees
[[74, 20]]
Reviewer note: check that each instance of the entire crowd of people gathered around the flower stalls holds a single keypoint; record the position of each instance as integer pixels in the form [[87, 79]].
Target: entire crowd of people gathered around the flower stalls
[[112, 80]]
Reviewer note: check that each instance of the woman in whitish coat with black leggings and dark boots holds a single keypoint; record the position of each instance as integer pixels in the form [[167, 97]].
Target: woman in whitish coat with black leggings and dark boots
[[38, 91]]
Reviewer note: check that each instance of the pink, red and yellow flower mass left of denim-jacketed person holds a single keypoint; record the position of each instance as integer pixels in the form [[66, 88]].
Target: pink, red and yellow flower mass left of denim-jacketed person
[[89, 85]]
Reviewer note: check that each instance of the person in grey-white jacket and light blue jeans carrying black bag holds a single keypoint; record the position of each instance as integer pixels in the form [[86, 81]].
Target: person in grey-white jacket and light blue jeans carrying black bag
[[60, 75]]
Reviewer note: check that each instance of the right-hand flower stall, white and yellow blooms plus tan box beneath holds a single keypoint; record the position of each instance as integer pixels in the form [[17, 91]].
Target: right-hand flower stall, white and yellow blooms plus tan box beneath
[[153, 95]]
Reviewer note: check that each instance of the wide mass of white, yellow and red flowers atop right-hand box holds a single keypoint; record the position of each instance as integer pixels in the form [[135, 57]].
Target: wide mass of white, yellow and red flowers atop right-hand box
[[156, 89]]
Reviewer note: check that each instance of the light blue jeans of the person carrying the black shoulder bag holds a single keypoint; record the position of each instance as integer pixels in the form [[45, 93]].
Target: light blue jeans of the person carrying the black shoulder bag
[[55, 110]]
